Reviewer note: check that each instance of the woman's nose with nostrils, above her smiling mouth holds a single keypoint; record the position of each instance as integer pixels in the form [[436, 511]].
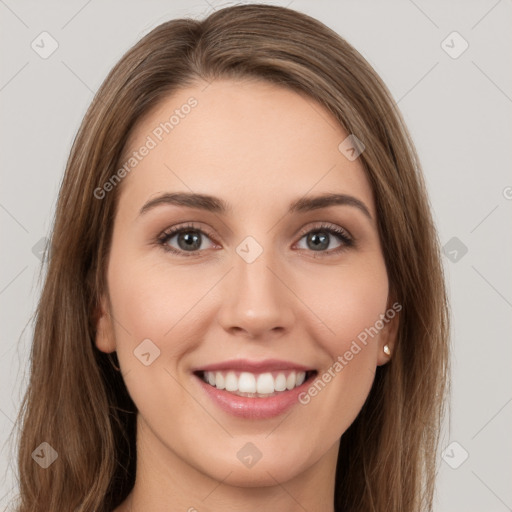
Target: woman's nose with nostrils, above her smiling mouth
[[257, 300]]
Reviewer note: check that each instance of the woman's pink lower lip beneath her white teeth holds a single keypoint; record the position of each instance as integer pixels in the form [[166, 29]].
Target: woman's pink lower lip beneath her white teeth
[[254, 408]]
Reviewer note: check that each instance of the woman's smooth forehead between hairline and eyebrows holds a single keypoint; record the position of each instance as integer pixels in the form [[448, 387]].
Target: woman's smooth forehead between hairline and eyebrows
[[253, 143]]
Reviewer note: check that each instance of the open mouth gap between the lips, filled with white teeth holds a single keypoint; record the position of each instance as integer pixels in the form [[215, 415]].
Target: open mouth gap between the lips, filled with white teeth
[[256, 385]]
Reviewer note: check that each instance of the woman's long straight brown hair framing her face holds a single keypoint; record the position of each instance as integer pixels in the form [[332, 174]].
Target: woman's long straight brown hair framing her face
[[78, 404]]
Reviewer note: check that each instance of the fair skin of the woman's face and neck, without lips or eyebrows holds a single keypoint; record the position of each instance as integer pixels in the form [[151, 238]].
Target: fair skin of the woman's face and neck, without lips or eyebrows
[[244, 141]]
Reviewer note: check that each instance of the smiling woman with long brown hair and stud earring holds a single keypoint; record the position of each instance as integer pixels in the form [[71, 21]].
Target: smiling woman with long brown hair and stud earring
[[244, 307]]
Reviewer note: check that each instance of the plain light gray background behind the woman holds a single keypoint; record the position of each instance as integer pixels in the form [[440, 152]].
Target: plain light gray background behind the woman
[[457, 109]]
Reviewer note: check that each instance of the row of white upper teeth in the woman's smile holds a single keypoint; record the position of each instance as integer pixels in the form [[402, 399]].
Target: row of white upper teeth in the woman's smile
[[261, 384]]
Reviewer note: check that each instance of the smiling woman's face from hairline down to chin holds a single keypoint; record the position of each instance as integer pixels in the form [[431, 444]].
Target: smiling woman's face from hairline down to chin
[[256, 293]]
